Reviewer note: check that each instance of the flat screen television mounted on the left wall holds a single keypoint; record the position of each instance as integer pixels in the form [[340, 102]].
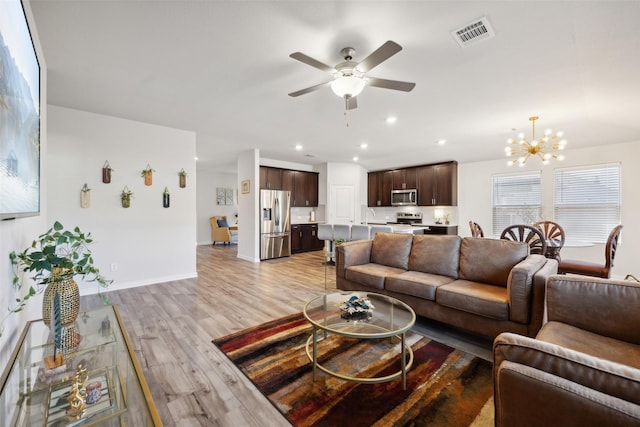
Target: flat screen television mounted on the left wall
[[19, 115]]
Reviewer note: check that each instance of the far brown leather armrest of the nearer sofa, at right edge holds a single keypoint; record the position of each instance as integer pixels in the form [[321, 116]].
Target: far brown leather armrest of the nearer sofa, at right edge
[[602, 306]]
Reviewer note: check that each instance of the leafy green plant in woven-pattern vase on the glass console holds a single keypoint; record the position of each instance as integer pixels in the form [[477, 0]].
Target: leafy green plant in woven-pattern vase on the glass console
[[52, 261]]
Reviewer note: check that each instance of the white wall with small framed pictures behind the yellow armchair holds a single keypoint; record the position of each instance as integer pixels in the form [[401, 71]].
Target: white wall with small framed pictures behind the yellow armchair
[[208, 181]]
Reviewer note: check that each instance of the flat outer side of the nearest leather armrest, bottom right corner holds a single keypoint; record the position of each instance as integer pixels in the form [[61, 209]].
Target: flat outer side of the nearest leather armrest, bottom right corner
[[525, 396]]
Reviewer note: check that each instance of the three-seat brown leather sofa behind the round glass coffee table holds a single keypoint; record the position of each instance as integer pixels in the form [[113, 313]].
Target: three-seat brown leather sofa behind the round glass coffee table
[[487, 286]]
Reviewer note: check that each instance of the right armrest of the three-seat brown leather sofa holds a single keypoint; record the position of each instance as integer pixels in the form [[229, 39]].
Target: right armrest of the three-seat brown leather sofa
[[519, 287]]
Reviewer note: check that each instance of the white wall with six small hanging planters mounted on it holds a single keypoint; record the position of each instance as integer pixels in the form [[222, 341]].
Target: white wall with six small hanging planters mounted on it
[[145, 243]]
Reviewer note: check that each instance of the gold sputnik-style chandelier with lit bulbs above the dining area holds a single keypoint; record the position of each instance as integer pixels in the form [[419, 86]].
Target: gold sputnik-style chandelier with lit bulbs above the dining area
[[545, 147]]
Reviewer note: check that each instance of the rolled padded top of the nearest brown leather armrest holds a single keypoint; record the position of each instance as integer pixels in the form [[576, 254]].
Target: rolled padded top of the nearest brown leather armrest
[[610, 378]]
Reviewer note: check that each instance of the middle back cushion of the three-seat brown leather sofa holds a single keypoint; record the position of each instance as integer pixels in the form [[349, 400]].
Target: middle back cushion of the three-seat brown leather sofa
[[435, 254]]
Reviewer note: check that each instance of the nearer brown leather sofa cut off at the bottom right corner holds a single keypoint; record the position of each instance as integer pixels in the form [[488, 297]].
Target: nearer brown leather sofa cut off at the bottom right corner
[[583, 367]]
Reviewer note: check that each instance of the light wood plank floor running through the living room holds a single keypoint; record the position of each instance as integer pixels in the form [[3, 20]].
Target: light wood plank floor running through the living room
[[171, 326]]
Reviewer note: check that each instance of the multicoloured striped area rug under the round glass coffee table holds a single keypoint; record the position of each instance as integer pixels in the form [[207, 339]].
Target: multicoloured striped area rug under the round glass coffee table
[[445, 386]]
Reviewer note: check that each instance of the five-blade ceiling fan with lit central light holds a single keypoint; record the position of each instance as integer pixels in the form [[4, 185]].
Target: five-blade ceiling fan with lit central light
[[348, 77]]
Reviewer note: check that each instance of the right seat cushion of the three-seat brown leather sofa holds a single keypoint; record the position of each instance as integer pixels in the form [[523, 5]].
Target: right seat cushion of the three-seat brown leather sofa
[[477, 298]]
